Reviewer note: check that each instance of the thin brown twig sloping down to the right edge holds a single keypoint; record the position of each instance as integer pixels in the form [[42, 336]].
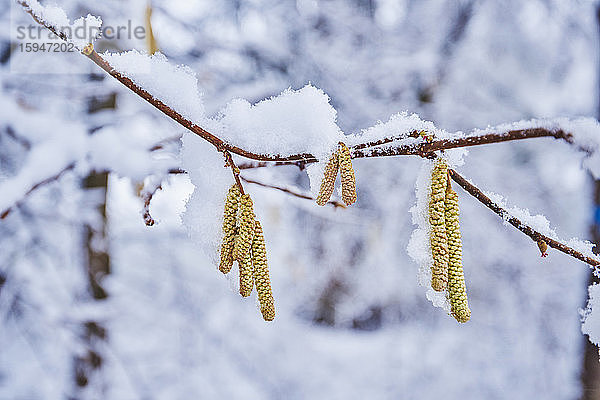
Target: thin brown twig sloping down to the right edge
[[526, 229]]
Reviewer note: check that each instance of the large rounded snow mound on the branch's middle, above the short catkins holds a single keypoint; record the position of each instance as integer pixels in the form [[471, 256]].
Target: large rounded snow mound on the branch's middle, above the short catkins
[[295, 122]]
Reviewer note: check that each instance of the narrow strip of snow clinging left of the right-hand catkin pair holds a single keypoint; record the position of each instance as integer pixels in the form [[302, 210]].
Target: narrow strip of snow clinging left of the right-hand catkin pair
[[419, 248]]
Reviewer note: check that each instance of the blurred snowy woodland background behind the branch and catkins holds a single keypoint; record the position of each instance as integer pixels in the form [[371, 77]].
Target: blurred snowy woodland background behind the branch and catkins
[[96, 305]]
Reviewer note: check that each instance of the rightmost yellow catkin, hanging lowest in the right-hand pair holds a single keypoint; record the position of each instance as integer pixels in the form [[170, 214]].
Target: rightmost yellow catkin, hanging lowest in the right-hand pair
[[457, 289]]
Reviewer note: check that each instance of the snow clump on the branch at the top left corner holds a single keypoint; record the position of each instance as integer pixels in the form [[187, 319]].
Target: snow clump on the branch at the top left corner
[[81, 32]]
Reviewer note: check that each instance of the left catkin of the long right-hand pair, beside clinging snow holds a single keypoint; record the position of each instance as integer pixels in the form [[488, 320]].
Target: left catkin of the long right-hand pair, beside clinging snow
[[437, 237]]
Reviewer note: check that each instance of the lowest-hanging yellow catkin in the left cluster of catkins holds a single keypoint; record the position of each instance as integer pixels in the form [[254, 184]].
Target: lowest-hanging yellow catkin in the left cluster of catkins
[[261, 275]]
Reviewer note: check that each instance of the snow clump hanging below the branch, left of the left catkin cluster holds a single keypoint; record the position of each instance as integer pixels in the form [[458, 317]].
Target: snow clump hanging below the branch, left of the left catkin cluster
[[211, 180]]
